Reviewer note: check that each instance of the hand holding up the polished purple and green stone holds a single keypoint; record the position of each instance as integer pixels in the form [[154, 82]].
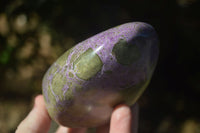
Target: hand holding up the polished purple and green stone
[[123, 120]]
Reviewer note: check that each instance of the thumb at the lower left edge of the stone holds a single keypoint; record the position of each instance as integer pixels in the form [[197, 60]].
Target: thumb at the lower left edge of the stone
[[38, 120]]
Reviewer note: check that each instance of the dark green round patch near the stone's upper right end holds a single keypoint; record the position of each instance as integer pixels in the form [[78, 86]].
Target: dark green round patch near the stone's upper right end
[[125, 53]]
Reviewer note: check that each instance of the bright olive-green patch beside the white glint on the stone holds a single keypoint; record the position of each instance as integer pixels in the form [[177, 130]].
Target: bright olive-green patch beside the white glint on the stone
[[87, 65]]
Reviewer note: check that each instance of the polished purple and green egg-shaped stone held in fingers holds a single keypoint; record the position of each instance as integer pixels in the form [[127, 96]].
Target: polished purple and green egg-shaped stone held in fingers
[[84, 85]]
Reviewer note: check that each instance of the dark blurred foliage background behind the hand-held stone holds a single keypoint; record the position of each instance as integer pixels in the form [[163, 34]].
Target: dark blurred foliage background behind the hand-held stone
[[33, 34]]
